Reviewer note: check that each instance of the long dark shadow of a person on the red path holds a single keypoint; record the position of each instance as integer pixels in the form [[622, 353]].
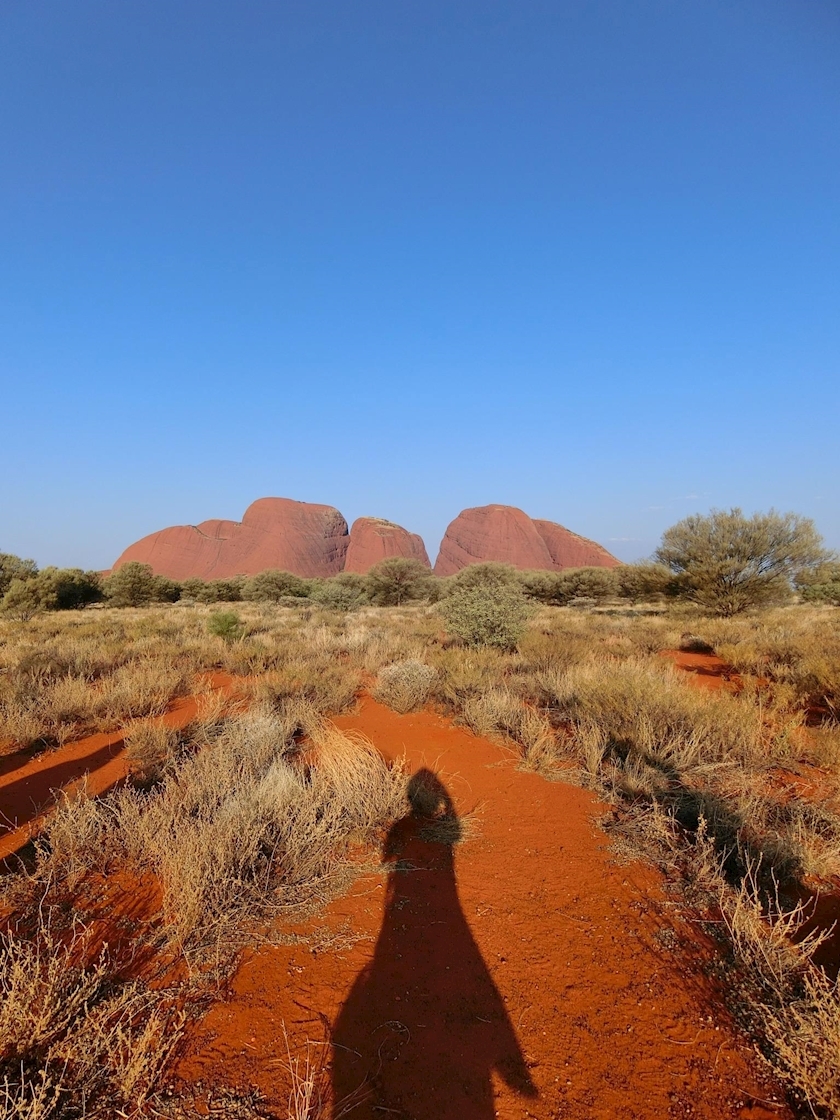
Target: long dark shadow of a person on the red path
[[425, 1026]]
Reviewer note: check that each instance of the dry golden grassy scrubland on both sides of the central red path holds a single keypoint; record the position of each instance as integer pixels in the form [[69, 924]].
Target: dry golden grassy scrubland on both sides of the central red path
[[260, 810]]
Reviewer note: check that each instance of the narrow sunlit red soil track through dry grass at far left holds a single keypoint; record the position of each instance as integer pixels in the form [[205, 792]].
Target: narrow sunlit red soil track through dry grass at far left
[[30, 785]]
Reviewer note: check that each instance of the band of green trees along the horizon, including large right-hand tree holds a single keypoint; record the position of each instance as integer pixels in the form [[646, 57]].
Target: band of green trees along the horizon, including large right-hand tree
[[726, 563]]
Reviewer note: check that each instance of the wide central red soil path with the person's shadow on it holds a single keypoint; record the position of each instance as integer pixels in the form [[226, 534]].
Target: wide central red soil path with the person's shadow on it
[[521, 974]]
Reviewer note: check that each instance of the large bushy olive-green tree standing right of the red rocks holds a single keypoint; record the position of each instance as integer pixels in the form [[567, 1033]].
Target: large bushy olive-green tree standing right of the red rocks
[[729, 563]]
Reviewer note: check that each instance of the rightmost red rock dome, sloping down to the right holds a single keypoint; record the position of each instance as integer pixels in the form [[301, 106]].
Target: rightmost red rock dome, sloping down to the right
[[508, 536]]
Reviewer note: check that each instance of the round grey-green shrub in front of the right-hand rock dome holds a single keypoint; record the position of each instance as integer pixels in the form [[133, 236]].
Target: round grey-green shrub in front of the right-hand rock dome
[[487, 606]]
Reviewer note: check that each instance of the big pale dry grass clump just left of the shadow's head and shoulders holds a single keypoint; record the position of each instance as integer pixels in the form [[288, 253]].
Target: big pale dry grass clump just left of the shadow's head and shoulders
[[244, 829]]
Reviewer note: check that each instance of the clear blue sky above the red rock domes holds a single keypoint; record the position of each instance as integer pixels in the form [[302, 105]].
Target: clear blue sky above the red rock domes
[[406, 257]]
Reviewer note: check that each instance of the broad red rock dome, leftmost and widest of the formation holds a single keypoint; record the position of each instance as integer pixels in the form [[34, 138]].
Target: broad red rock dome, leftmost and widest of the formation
[[275, 533]]
